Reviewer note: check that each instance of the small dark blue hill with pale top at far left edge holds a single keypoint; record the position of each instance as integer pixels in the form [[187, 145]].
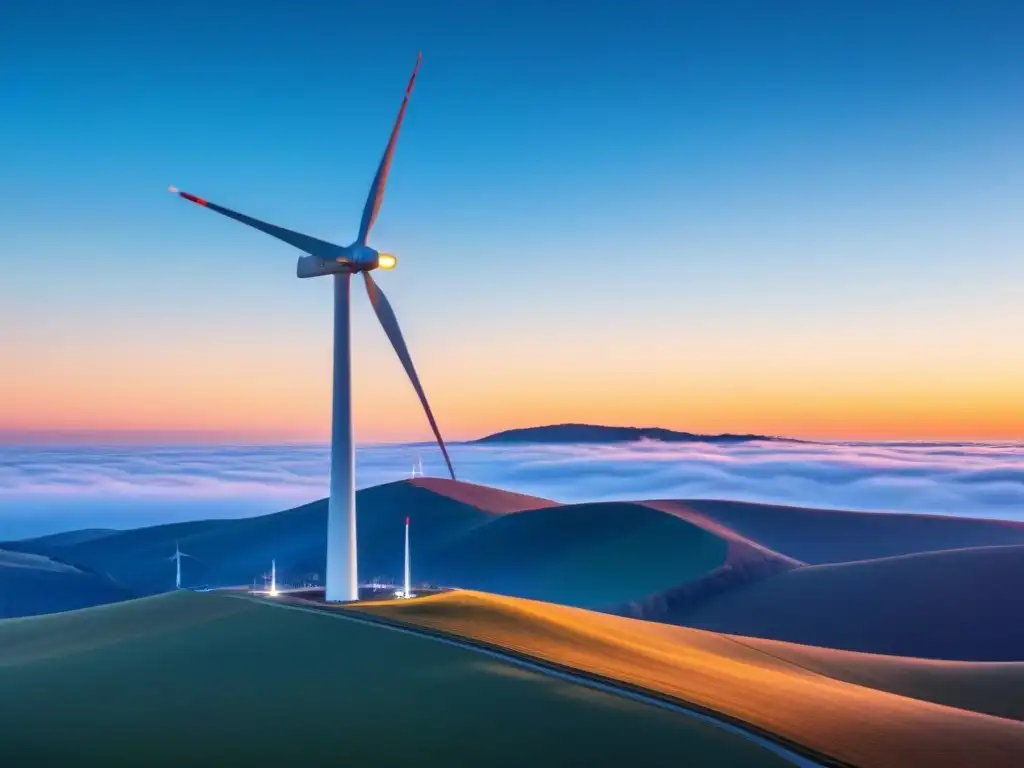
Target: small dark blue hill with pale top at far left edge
[[33, 584]]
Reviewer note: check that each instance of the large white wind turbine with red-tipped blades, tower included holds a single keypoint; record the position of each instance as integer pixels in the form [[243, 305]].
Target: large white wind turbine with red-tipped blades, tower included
[[344, 262]]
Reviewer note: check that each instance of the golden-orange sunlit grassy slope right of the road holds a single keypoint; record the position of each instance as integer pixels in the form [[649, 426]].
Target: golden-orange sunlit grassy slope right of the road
[[851, 723]]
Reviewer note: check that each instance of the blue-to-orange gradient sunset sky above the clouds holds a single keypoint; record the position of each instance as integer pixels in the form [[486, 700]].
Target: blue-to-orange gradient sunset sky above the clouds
[[799, 219]]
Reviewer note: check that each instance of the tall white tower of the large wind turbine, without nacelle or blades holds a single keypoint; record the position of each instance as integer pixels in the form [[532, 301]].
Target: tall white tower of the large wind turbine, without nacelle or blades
[[343, 573]]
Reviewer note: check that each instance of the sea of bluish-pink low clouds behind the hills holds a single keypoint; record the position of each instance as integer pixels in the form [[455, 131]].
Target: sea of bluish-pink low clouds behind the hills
[[46, 490]]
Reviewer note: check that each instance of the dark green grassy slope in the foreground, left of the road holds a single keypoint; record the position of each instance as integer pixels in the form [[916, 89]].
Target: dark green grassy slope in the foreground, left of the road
[[189, 679]]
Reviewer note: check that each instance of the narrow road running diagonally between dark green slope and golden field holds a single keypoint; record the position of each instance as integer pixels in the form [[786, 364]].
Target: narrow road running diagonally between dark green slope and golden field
[[774, 747]]
